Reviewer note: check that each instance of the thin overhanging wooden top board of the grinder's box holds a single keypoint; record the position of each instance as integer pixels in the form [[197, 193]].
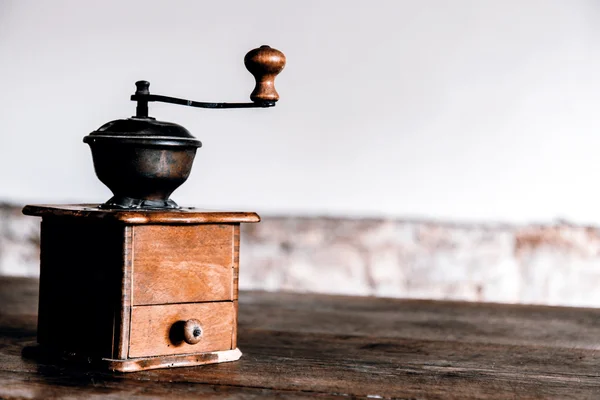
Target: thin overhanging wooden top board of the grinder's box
[[181, 216]]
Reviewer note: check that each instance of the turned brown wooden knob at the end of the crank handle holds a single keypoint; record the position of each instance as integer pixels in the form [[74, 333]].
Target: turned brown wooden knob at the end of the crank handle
[[264, 63]]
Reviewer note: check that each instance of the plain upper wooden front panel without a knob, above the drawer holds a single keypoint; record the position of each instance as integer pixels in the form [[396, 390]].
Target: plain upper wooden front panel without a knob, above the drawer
[[182, 264]]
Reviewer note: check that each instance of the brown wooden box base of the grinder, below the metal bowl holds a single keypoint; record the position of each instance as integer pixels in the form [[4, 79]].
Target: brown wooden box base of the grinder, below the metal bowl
[[135, 290]]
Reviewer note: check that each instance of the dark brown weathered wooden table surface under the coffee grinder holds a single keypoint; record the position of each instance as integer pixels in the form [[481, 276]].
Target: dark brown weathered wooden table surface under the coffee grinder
[[306, 345]]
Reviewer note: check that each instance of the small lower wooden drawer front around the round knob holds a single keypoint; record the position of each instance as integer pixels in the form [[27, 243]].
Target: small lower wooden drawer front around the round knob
[[158, 330]]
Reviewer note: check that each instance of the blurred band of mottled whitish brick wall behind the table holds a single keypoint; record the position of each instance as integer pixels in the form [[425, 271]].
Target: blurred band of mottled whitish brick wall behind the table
[[554, 264]]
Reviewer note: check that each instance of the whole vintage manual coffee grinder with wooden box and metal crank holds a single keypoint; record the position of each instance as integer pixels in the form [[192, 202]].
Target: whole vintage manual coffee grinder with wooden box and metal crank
[[139, 282]]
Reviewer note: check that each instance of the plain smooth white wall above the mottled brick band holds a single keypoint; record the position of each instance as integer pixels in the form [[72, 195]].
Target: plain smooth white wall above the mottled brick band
[[462, 110]]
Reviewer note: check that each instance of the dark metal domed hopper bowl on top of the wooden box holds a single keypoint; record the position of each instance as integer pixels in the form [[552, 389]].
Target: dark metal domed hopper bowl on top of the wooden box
[[142, 161]]
